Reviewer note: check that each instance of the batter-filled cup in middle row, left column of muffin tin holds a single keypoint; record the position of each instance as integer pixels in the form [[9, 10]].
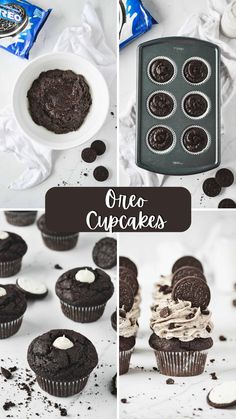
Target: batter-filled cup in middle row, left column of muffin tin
[[161, 104]]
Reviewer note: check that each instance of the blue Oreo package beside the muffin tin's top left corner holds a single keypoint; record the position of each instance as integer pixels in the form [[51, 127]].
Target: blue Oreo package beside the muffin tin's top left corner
[[134, 20]]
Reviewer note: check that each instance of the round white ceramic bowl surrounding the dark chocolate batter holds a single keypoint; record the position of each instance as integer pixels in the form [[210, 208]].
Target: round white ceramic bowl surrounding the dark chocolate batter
[[97, 113]]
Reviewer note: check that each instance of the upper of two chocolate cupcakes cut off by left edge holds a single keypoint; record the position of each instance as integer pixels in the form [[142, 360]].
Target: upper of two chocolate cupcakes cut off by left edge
[[12, 250]]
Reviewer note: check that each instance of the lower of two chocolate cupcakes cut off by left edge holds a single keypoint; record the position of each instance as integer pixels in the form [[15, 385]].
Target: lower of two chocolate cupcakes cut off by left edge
[[12, 308]]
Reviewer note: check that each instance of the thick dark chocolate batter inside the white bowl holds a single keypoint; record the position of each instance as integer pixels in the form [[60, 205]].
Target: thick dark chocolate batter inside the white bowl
[[59, 100]]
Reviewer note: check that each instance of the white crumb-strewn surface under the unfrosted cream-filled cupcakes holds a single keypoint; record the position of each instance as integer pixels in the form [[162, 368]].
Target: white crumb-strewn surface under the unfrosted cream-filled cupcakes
[[44, 315]]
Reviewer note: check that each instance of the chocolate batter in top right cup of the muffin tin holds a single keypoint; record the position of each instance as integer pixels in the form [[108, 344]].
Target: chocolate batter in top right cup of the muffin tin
[[195, 71]]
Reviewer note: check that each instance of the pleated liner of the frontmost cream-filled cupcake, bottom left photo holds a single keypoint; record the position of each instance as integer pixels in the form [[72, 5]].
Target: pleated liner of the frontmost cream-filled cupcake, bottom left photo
[[62, 388]]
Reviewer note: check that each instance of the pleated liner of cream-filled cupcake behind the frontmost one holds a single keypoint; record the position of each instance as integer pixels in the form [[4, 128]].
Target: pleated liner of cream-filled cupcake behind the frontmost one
[[82, 314]]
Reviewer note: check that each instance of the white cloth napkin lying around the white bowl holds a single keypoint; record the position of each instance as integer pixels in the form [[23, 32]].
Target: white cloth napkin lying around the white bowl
[[88, 41]]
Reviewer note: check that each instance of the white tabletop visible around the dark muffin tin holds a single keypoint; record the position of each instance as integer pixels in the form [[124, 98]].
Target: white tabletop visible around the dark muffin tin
[[171, 15]]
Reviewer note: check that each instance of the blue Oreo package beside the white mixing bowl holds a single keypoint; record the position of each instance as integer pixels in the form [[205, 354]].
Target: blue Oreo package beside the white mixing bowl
[[20, 24]]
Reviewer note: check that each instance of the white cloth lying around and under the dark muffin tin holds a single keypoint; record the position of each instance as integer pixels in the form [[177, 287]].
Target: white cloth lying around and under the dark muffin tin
[[205, 27]]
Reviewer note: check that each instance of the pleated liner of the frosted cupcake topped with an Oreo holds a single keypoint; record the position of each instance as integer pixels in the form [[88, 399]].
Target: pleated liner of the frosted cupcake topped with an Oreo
[[181, 364]]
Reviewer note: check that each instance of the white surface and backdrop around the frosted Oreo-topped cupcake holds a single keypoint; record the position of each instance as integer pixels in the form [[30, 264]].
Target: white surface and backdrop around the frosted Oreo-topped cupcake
[[146, 391]]
